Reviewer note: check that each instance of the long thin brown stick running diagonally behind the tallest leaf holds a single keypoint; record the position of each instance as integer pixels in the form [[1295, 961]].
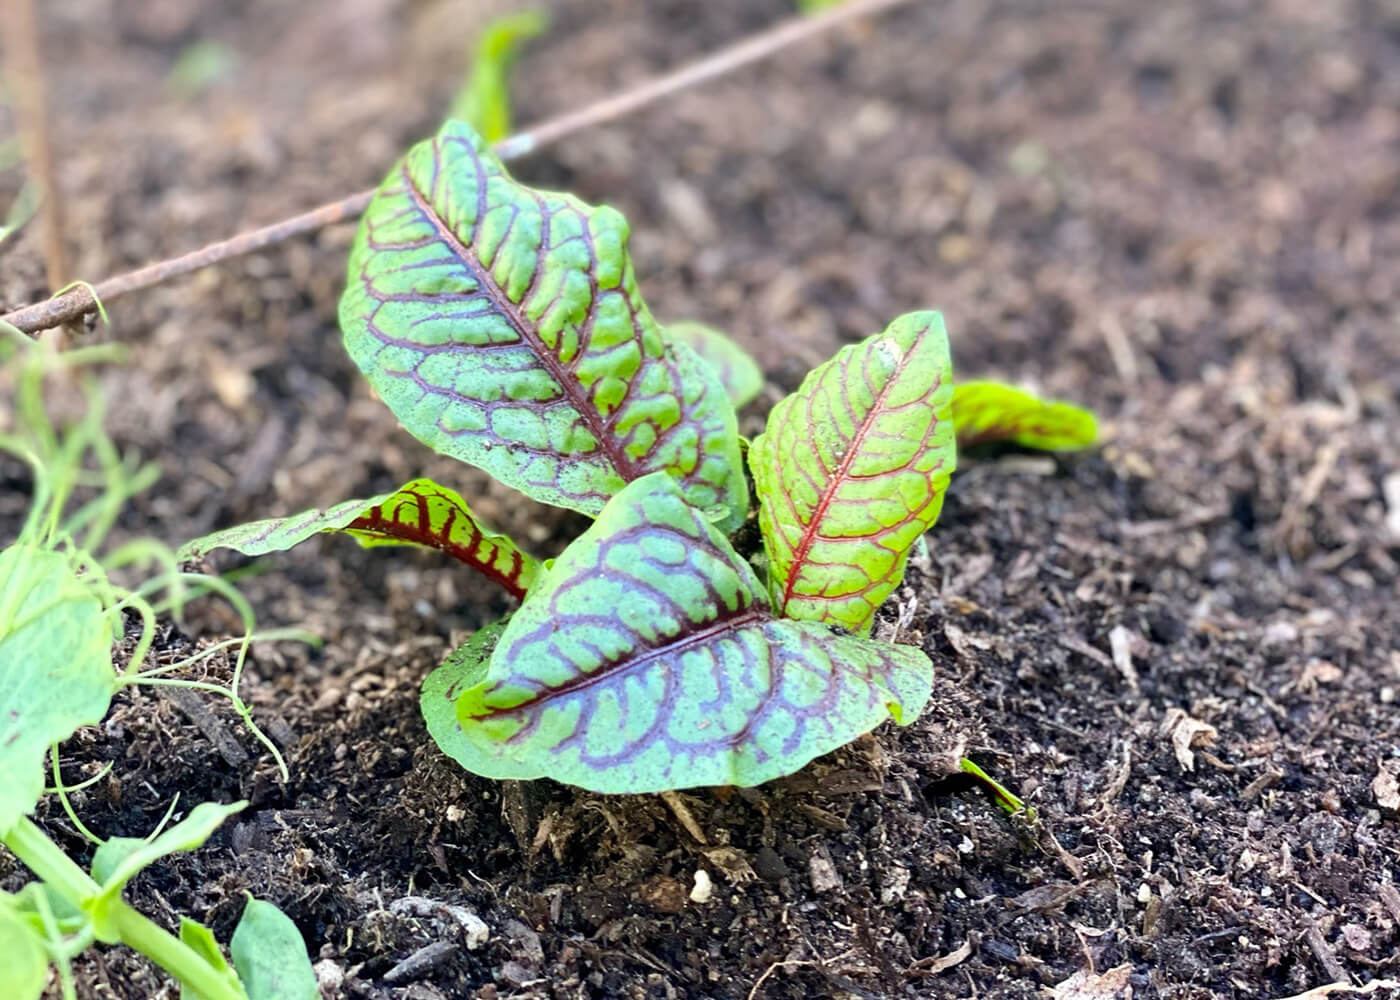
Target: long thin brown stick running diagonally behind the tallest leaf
[[79, 302]]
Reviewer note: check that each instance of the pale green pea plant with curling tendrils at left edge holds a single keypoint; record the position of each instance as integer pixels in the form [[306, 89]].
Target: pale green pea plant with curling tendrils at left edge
[[61, 616]]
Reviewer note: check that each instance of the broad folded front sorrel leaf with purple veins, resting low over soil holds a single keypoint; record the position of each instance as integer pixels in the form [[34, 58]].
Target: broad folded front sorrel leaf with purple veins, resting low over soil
[[647, 659]]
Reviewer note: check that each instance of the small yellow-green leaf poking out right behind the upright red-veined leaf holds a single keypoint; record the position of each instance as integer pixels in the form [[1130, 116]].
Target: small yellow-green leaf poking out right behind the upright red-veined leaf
[[992, 412]]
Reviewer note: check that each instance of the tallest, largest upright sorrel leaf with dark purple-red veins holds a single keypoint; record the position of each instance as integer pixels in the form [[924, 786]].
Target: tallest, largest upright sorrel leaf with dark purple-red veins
[[503, 327]]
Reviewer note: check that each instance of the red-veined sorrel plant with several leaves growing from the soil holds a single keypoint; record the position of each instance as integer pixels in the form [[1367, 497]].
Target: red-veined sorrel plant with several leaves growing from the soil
[[503, 327]]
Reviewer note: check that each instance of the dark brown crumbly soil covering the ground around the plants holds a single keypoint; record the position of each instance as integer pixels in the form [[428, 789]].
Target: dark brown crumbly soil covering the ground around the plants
[[1184, 215]]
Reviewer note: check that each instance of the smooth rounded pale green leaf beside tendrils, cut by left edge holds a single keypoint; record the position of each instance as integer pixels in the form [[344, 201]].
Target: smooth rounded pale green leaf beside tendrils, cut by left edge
[[55, 669]]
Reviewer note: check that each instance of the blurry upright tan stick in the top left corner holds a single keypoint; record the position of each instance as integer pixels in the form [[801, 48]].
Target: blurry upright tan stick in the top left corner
[[22, 36]]
